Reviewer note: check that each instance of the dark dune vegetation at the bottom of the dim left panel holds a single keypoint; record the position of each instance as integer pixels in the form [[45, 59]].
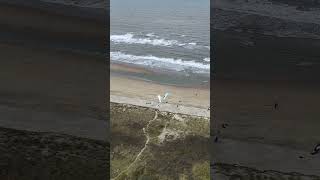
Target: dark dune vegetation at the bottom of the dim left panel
[[33, 155]]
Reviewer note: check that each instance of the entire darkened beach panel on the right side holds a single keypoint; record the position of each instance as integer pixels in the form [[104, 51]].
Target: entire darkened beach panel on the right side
[[266, 92]]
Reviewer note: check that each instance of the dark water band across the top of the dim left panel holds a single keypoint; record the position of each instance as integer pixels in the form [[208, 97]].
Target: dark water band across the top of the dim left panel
[[53, 26]]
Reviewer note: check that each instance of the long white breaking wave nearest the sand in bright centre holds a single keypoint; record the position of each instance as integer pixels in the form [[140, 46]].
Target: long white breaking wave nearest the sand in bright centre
[[160, 62]]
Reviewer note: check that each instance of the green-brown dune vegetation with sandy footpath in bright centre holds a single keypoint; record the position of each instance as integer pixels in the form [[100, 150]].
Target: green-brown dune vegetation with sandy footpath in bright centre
[[177, 147]]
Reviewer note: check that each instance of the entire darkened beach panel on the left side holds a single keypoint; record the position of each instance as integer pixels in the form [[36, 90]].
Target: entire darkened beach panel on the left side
[[52, 93]]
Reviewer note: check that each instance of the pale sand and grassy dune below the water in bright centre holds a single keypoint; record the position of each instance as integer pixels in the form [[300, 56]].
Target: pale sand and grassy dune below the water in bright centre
[[157, 141]]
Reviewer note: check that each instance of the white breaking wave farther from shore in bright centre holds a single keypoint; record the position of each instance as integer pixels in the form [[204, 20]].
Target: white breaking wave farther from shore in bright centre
[[151, 39]]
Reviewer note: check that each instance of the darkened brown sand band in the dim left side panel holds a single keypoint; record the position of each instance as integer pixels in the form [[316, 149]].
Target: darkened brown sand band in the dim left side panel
[[50, 91]]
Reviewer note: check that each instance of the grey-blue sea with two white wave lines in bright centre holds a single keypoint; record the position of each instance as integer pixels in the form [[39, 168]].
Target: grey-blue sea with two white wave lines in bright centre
[[171, 35]]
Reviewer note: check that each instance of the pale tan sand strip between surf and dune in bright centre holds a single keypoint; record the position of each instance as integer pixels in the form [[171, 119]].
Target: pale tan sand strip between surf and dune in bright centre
[[122, 86]]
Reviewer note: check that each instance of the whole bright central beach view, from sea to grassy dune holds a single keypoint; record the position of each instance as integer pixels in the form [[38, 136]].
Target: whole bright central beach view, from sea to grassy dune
[[159, 89]]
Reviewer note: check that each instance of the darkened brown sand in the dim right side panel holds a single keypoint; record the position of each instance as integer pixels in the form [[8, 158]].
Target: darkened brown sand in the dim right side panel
[[257, 135]]
